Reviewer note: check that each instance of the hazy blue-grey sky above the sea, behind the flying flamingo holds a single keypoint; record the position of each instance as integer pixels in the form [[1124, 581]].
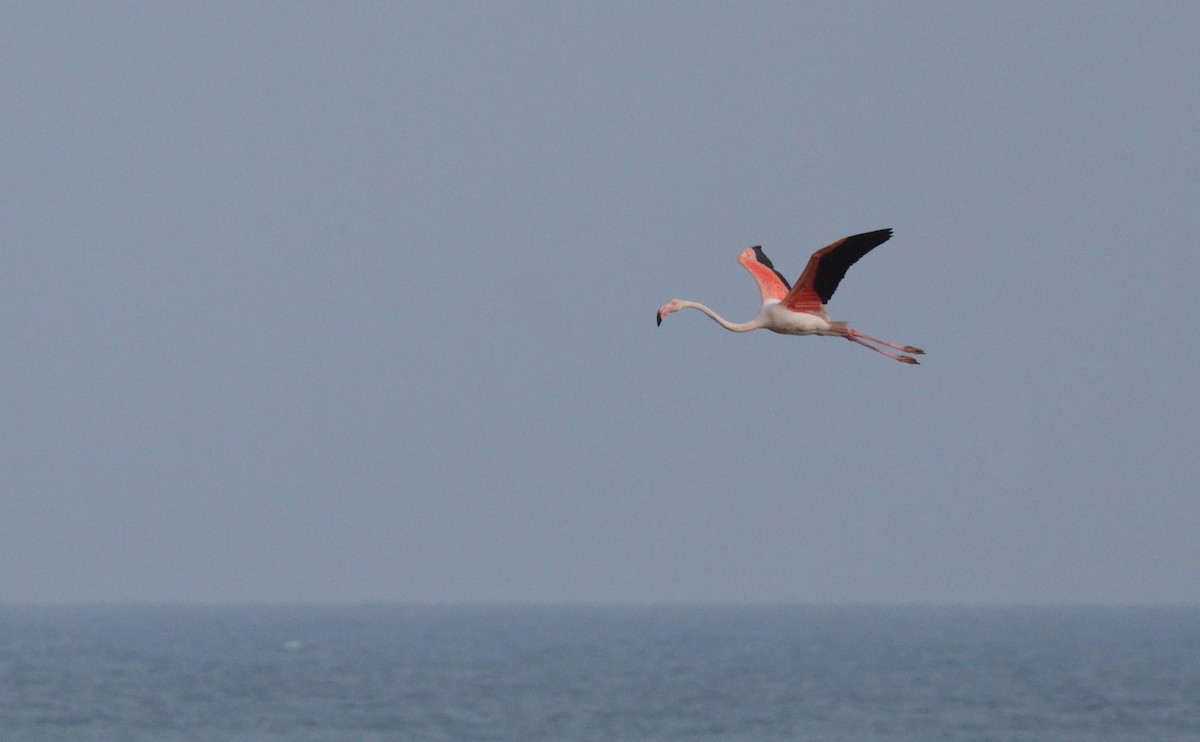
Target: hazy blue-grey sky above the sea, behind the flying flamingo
[[353, 302]]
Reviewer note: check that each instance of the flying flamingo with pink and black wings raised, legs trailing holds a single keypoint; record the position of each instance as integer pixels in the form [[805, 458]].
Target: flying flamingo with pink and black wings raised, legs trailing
[[801, 309]]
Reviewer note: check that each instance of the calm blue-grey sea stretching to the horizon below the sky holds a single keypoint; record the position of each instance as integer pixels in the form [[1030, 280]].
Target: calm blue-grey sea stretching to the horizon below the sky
[[365, 673]]
